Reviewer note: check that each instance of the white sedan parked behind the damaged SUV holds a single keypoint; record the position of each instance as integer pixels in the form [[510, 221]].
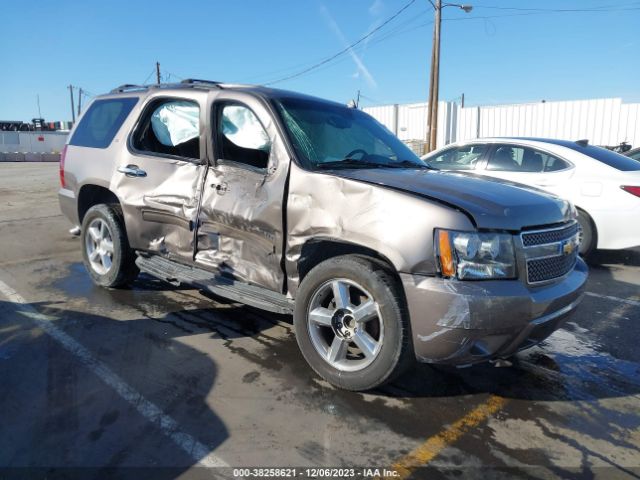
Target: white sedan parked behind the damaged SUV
[[603, 185]]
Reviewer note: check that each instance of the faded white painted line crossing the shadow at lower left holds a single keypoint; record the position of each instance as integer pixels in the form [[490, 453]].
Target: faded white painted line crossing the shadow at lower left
[[196, 450]]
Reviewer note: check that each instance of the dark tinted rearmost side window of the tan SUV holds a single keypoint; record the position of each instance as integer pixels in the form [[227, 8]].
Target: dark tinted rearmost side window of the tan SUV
[[102, 121]]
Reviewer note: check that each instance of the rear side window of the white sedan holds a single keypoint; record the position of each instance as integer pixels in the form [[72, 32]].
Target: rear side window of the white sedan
[[523, 159]]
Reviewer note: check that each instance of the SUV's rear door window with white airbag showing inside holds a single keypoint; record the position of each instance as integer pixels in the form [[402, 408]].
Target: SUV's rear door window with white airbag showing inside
[[170, 127]]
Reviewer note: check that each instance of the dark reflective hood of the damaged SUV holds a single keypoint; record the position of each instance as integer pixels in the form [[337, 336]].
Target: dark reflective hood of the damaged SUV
[[491, 203]]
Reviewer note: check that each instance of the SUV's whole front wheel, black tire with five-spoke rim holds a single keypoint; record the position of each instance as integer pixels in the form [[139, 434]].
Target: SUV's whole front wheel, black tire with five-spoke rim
[[352, 323]]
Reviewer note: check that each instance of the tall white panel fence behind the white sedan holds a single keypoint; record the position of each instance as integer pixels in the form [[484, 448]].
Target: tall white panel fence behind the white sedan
[[601, 121]]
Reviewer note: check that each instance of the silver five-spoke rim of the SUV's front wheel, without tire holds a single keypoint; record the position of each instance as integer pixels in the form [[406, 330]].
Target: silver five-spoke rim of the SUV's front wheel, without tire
[[345, 325]]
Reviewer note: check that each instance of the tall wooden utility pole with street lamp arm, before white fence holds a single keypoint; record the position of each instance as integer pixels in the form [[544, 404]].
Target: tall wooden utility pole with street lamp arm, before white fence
[[434, 78]]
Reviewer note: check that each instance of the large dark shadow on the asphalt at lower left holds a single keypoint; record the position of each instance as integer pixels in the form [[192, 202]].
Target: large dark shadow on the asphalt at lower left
[[114, 398]]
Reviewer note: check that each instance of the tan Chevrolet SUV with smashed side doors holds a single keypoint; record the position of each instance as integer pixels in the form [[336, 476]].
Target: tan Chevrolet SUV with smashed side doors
[[302, 206]]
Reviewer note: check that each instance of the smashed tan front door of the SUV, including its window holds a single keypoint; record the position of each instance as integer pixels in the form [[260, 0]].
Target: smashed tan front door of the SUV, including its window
[[240, 229]]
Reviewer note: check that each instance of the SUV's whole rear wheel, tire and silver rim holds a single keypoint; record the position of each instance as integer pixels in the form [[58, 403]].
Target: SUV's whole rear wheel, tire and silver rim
[[106, 253]]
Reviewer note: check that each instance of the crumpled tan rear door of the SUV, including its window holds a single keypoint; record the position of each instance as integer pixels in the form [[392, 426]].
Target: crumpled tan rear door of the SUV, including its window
[[159, 177]]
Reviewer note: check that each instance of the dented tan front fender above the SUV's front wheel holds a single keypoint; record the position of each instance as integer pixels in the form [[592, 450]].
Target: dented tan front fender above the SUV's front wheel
[[397, 225]]
